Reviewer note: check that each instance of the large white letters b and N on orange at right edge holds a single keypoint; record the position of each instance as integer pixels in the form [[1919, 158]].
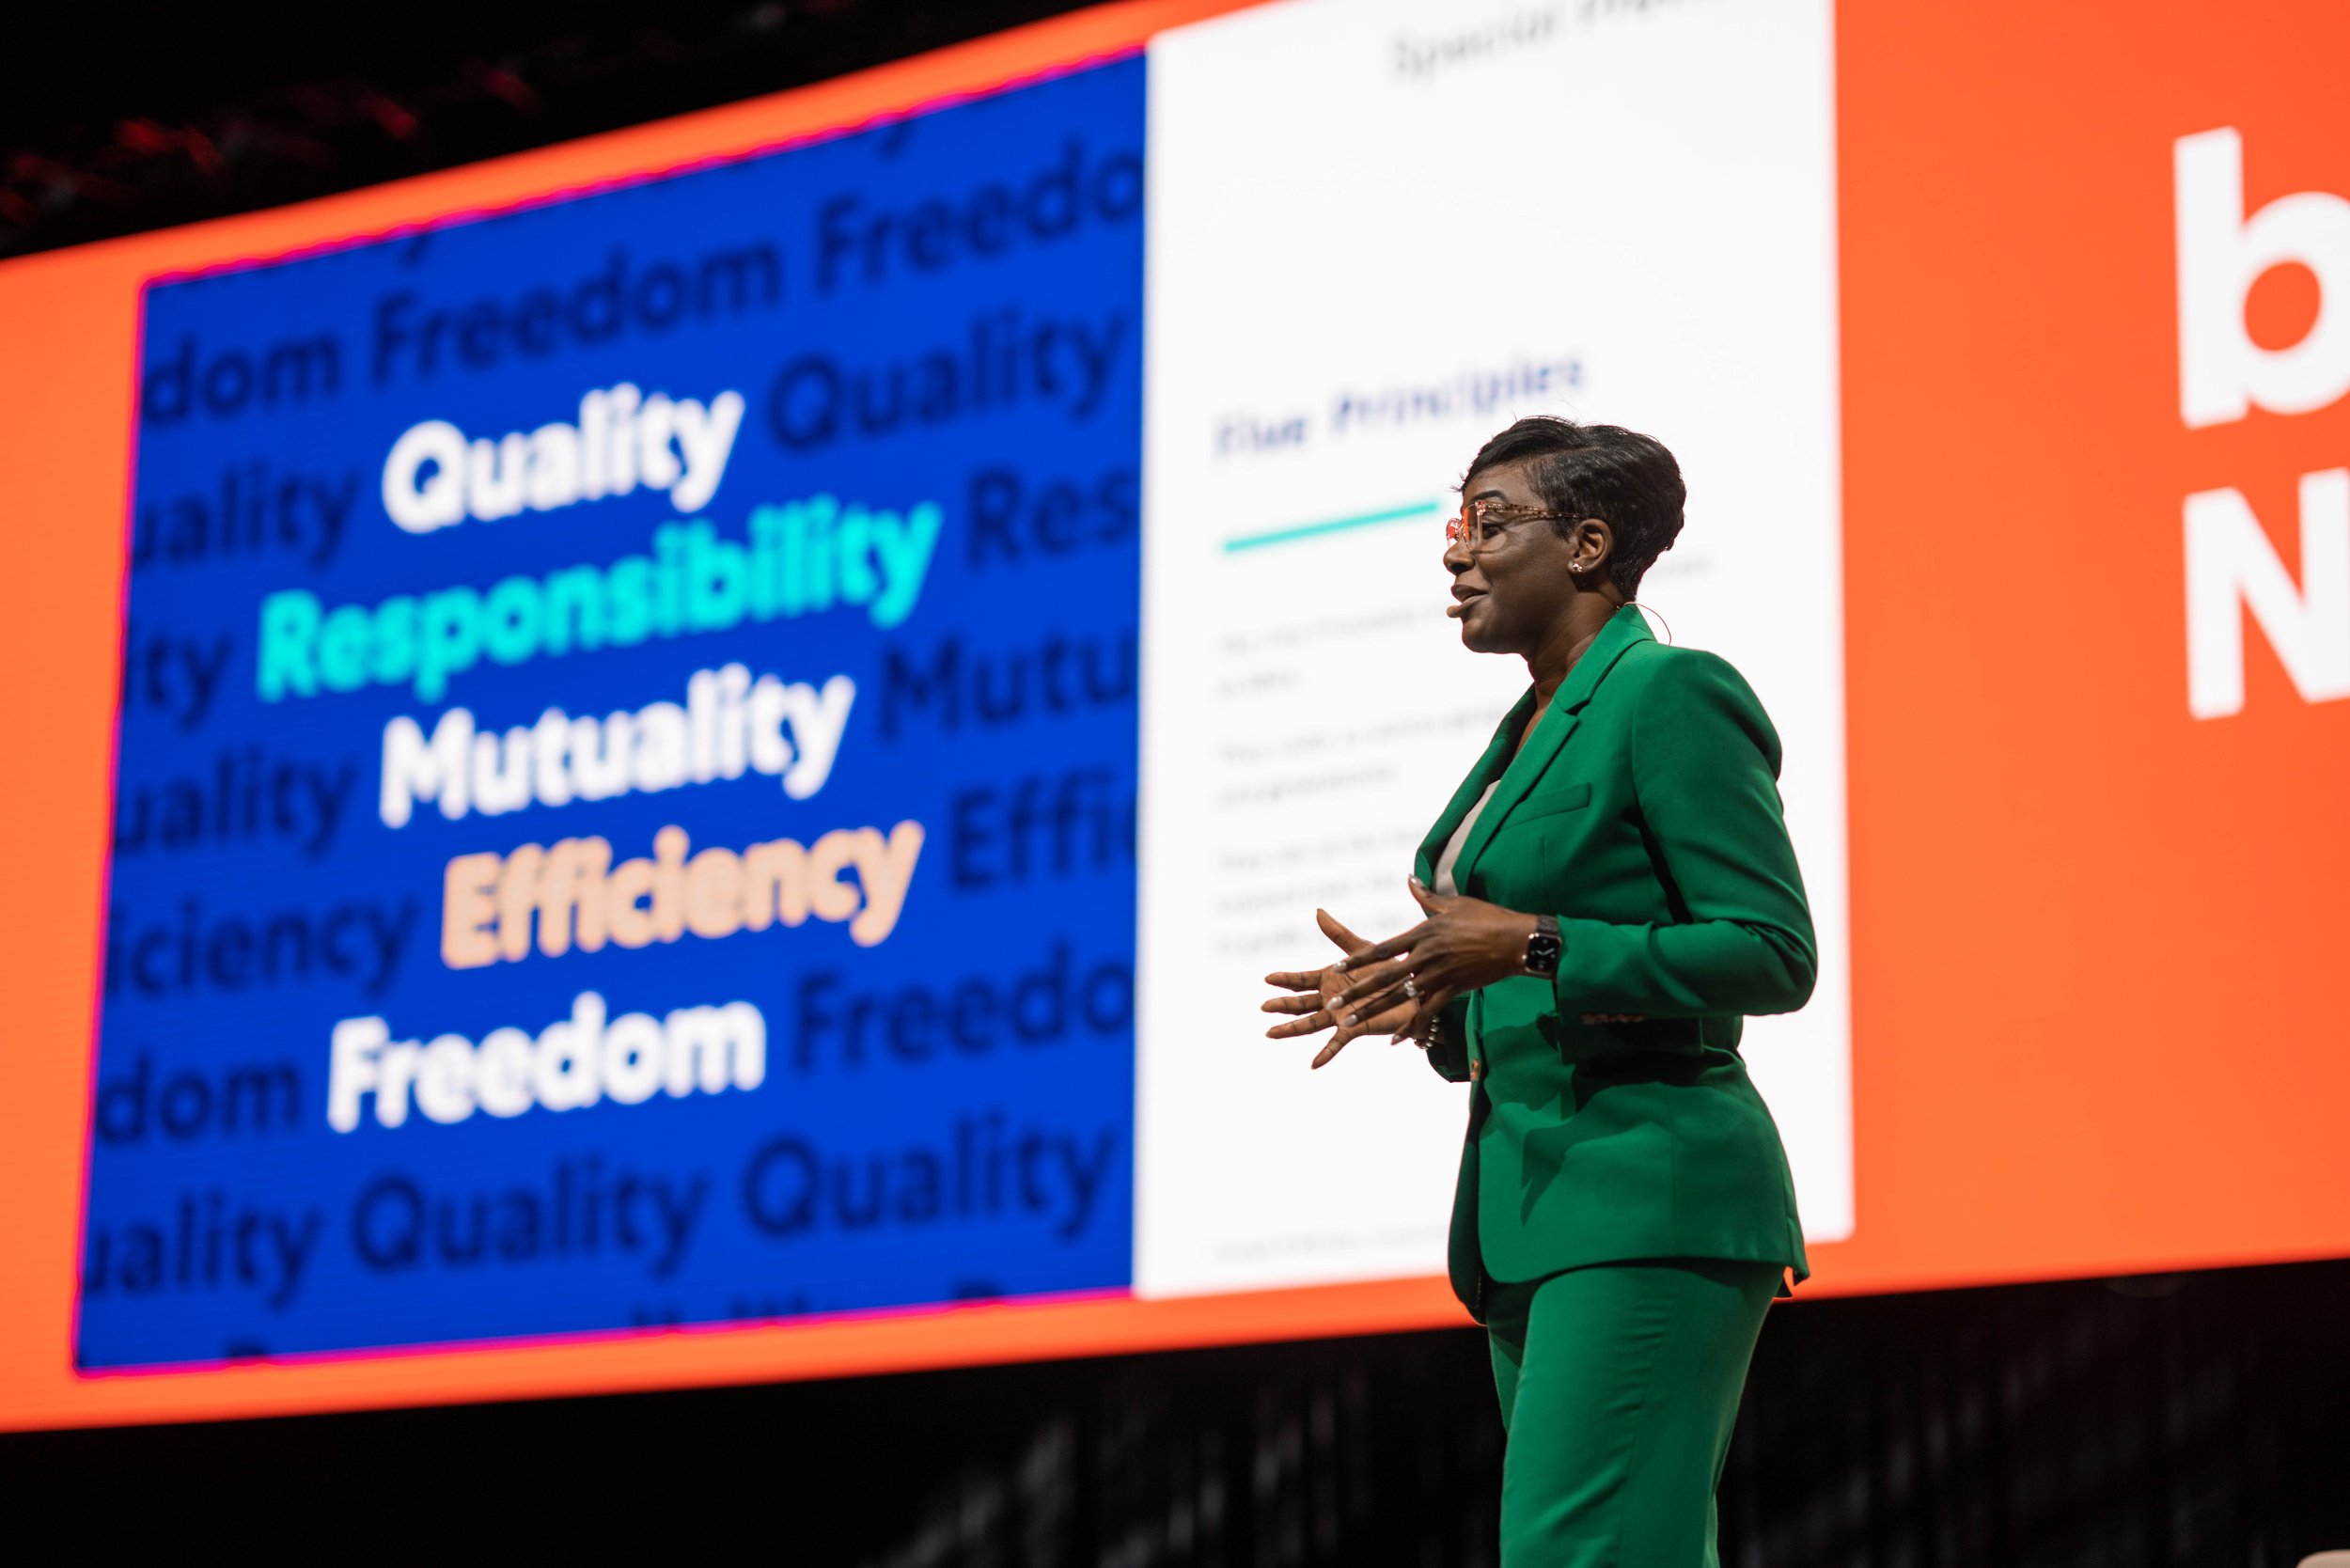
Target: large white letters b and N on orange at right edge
[[2231, 563]]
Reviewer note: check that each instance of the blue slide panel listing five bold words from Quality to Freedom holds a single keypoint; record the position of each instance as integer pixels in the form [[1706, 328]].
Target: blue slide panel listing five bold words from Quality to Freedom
[[626, 772]]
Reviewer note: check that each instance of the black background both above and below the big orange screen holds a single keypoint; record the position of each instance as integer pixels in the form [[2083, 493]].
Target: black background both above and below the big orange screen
[[2149, 1423]]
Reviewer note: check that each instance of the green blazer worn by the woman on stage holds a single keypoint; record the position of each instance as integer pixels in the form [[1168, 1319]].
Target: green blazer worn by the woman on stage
[[1644, 812]]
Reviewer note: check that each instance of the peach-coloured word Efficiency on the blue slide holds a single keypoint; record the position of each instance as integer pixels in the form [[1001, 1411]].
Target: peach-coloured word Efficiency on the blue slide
[[579, 897]]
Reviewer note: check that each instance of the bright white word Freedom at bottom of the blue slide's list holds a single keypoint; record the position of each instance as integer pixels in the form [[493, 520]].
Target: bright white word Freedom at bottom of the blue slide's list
[[570, 1066]]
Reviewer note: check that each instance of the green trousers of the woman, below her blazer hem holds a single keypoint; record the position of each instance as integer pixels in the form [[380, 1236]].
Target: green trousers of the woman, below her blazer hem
[[1620, 1386]]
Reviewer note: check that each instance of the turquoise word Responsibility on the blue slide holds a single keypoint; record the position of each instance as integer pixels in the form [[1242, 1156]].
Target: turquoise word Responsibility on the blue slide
[[800, 561]]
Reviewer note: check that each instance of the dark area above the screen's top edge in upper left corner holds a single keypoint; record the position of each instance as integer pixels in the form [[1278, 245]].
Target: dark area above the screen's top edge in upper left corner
[[121, 116]]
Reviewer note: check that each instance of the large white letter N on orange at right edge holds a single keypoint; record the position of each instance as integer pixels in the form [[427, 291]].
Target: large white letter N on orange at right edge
[[2234, 568]]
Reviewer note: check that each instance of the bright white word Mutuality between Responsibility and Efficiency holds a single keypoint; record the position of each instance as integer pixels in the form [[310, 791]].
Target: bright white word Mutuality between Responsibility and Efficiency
[[730, 725]]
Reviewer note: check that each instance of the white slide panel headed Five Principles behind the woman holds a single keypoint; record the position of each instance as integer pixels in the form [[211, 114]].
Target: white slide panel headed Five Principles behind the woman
[[1378, 232]]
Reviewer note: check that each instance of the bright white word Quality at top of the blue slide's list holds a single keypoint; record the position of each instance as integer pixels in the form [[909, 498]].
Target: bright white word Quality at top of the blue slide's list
[[438, 478]]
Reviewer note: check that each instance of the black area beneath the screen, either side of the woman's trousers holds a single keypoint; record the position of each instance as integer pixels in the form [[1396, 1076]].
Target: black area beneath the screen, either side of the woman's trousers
[[2144, 1423]]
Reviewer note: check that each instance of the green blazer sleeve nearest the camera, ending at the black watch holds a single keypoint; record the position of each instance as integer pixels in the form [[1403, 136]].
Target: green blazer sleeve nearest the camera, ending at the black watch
[[1705, 763]]
